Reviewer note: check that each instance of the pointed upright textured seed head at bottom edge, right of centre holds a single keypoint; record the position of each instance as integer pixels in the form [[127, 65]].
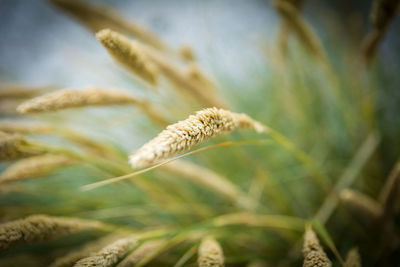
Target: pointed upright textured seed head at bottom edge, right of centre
[[313, 253]]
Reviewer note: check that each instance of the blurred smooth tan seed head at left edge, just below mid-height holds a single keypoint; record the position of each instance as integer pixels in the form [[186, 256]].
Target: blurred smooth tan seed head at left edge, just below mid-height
[[33, 167]]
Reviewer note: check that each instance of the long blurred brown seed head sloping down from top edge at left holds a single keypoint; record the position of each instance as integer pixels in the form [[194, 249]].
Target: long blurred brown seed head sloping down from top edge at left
[[98, 17]]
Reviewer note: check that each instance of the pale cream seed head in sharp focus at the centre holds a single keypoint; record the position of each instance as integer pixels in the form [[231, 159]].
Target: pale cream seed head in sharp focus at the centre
[[181, 136]]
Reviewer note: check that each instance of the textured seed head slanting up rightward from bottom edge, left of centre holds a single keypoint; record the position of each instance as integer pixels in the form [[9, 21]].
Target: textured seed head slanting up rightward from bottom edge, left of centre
[[109, 255]]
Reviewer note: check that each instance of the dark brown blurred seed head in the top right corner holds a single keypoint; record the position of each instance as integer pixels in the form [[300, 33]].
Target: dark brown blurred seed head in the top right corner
[[382, 14]]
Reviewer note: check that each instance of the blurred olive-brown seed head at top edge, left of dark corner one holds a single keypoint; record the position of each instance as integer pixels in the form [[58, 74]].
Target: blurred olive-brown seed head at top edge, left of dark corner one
[[300, 27]]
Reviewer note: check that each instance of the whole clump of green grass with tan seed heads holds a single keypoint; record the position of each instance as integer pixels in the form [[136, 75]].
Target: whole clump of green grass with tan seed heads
[[294, 173]]
